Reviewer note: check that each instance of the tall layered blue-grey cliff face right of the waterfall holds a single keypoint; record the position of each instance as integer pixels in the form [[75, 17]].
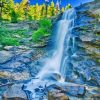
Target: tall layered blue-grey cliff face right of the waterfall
[[84, 66]]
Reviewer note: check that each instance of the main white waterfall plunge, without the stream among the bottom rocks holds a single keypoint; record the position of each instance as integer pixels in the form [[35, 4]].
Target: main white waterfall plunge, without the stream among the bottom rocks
[[64, 28]]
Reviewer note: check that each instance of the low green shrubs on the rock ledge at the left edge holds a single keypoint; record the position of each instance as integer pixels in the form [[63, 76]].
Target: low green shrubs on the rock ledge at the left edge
[[8, 37]]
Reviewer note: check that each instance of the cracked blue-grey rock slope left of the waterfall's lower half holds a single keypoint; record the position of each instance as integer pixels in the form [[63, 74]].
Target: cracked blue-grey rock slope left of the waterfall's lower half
[[17, 65]]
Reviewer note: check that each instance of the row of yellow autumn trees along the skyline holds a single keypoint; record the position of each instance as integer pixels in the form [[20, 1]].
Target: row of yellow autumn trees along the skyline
[[24, 11]]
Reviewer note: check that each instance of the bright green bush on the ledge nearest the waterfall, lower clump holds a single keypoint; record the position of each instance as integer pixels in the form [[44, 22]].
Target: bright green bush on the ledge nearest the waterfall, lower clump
[[38, 35]]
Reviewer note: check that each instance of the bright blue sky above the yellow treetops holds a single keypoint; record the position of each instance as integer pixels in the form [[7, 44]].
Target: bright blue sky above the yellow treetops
[[74, 3]]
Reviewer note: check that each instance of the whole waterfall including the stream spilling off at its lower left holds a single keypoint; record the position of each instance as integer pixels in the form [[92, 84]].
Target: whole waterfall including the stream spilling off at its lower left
[[56, 63]]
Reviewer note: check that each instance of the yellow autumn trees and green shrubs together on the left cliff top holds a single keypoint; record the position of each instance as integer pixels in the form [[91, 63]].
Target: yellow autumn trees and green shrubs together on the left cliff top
[[15, 12]]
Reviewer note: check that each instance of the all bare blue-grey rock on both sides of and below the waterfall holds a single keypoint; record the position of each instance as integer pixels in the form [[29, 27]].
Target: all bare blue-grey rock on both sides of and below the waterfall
[[19, 65]]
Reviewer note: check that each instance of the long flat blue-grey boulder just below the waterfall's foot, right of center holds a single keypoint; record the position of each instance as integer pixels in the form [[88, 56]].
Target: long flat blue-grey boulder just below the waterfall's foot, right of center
[[68, 88]]
